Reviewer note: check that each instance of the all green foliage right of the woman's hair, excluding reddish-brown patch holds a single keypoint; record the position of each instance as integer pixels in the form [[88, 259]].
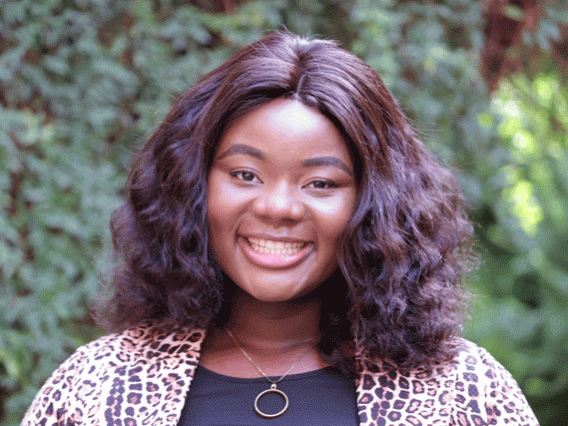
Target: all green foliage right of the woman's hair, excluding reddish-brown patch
[[511, 155]]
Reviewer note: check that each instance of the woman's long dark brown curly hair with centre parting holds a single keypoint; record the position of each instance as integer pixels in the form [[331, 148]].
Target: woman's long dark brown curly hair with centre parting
[[403, 252]]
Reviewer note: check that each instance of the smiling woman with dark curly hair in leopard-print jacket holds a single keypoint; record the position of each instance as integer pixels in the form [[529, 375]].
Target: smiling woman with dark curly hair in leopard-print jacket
[[290, 254]]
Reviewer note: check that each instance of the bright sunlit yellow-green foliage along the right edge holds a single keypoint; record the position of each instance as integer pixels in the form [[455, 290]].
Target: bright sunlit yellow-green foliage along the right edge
[[525, 236]]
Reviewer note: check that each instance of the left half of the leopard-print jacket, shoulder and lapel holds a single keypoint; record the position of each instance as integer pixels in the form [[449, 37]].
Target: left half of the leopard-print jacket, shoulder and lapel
[[139, 376]]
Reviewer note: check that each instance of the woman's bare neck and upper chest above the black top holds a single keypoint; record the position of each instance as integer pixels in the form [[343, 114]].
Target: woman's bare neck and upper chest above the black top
[[274, 335]]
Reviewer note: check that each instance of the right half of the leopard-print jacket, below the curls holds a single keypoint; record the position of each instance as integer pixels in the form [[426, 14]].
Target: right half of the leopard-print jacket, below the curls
[[471, 389]]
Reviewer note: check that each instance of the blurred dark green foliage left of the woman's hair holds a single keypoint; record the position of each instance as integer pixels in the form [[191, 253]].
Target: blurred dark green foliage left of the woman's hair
[[82, 84]]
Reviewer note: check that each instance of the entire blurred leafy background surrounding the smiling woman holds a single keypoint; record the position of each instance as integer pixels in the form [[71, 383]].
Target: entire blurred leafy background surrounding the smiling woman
[[83, 82]]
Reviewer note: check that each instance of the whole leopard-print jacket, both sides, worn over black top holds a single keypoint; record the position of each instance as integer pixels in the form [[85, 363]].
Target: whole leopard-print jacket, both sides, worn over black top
[[143, 375]]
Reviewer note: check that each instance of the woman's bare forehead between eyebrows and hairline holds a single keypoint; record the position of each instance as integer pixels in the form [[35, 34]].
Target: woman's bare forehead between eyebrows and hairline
[[285, 126]]
